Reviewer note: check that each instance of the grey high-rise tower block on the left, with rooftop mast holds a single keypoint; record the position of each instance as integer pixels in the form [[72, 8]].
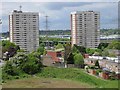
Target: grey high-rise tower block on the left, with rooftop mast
[[24, 29]]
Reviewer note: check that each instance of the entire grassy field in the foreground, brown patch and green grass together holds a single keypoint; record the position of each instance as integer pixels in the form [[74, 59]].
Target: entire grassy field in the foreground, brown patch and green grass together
[[51, 77]]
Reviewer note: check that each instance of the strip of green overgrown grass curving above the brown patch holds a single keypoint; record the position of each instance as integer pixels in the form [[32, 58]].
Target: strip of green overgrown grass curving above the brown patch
[[77, 75]]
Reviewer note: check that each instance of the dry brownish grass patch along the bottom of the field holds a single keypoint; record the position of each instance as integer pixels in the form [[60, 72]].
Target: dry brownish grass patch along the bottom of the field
[[36, 82]]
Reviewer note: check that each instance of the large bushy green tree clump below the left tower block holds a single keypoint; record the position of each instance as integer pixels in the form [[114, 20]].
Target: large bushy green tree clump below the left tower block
[[23, 63]]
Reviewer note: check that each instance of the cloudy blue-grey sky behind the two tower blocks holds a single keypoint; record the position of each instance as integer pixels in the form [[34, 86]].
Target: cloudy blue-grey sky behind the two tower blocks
[[59, 12]]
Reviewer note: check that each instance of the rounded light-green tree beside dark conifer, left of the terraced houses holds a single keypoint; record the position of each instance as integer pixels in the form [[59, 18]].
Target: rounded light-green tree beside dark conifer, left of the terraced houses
[[78, 60]]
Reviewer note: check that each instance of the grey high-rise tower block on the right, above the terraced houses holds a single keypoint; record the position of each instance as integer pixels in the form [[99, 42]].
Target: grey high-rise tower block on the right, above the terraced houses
[[85, 28]]
